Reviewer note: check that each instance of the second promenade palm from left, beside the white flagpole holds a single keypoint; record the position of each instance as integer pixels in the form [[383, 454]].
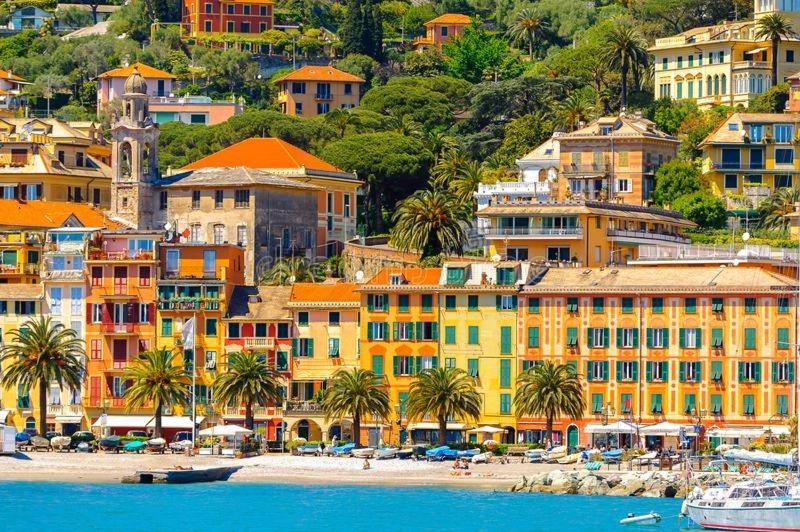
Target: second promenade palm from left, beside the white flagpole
[[155, 377]]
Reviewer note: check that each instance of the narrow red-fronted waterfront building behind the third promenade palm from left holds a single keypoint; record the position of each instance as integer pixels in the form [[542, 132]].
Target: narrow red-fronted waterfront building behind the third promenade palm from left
[[258, 320]]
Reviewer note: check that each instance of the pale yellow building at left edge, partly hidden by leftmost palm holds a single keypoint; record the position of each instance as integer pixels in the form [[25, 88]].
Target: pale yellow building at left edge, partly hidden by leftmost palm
[[18, 304]]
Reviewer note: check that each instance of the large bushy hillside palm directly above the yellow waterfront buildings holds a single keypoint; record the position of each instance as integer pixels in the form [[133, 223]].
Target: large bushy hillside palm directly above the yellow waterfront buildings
[[431, 222]]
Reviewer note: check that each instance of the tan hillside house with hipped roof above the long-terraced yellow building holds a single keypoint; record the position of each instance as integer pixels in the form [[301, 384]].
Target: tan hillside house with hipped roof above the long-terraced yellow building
[[614, 158]]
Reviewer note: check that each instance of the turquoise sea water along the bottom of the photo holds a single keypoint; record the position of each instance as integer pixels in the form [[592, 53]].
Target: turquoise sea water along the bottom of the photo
[[227, 506]]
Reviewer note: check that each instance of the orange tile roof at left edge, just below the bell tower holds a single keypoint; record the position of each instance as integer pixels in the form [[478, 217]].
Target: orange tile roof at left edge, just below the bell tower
[[51, 214]]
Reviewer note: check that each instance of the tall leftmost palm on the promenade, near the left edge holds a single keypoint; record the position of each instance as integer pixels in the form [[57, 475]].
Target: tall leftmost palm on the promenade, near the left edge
[[39, 353]]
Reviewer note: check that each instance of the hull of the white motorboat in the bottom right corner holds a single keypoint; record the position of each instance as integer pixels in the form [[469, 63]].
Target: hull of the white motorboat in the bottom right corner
[[777, 519]]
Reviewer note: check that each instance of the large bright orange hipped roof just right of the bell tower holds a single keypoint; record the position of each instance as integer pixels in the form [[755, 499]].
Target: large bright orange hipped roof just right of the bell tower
[[262, 153]]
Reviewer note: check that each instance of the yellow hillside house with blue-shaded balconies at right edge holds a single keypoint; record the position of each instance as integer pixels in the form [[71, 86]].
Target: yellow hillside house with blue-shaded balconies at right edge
[[750, 155]]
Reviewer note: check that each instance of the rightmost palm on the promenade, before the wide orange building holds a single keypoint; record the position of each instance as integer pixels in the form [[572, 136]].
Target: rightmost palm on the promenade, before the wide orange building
[[549, 390]]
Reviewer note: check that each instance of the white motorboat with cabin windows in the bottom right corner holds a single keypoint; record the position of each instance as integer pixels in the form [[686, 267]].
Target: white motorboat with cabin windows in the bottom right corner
[[755, 505]]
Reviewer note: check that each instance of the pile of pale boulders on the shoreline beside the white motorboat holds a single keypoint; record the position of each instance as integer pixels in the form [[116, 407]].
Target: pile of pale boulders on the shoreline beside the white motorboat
[[669, 484]]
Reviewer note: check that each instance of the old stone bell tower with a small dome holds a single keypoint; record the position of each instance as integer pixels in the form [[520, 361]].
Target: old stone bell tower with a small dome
[[134, 156]]
